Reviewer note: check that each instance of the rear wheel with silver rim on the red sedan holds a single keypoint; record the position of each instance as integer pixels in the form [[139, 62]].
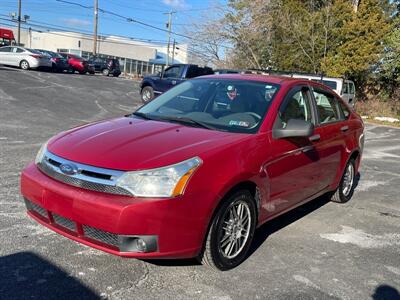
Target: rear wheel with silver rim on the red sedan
[[345, 190]]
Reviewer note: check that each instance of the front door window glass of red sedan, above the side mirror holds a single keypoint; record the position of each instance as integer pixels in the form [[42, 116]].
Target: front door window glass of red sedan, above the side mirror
[[295, 106]]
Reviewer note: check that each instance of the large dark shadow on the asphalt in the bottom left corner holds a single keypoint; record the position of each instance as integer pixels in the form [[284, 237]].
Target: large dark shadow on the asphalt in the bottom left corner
[[26, 275]]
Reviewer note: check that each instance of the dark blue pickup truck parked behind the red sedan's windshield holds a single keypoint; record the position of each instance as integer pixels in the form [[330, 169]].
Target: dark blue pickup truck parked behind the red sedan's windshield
[[154, 85]]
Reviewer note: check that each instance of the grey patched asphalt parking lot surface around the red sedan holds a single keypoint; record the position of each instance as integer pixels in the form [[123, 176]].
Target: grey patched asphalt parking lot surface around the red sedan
[[321, 250]]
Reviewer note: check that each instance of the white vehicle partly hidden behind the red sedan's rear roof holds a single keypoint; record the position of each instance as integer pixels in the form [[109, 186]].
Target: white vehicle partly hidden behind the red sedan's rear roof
[[343, 87]]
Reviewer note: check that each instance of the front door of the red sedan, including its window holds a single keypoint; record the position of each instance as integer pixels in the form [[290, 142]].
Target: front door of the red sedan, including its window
[[293, 166]]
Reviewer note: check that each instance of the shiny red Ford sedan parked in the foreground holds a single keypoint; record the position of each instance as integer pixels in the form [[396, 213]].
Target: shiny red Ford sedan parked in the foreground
[[195, 172]]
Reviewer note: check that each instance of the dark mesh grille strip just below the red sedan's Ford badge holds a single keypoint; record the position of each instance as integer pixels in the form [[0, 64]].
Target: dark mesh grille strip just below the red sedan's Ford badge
[[98, 187]]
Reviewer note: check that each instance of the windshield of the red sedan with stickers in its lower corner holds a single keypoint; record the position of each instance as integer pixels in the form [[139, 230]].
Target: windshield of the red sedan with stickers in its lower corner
[[219, 104]]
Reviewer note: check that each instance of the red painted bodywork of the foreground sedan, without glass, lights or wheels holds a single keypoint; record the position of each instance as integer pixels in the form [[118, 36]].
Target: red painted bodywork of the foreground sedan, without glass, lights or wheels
[[285, 176]]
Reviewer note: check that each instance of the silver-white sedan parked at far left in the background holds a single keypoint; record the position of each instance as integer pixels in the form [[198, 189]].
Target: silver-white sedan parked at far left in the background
[[24, 58]]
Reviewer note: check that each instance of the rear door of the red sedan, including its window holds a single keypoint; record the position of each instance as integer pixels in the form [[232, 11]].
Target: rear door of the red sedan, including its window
[[329, 141]]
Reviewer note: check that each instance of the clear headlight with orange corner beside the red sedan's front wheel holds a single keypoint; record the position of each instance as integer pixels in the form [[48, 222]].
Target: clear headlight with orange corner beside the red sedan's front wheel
[[168, 181]]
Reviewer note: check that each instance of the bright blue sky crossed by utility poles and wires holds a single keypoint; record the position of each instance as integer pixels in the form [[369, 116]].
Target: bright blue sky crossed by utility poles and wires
[[56, 14]]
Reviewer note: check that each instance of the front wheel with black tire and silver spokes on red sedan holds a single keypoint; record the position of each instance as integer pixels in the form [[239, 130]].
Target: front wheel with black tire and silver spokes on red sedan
[[231, 232]]
